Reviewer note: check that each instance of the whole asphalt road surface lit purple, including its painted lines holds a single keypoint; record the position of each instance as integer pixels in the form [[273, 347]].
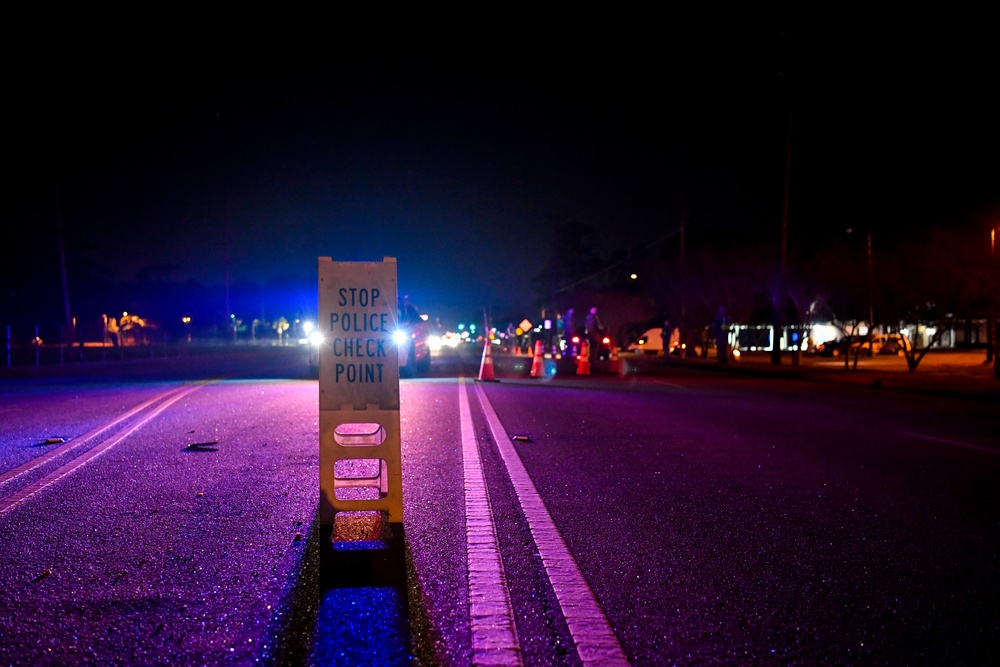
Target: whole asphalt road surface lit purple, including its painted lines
[[676, 517]]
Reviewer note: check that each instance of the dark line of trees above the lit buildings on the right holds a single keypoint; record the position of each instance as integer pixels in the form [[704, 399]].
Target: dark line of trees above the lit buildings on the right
[[938, 278]]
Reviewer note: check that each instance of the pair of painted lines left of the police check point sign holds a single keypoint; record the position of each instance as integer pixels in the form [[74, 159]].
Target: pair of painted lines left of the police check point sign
[[10, 501]]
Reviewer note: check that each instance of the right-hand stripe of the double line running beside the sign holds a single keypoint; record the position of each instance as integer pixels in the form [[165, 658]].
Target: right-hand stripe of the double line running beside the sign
[[596, 642]]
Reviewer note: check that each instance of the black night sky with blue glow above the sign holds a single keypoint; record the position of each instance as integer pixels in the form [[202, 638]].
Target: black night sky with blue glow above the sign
[[185, 154]]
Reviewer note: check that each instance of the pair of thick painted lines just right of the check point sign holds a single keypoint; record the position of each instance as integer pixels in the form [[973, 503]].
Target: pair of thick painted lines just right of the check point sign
[[494, 633]]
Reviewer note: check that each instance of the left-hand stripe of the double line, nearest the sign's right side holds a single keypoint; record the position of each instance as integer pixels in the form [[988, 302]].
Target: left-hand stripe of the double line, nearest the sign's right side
[[494, 635]]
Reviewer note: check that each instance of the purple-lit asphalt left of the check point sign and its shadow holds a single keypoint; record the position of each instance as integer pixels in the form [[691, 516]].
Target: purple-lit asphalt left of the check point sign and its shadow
[[152, 521]]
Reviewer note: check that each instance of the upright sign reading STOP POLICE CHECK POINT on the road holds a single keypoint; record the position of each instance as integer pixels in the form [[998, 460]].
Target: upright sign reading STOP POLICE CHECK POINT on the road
[[359, 388]]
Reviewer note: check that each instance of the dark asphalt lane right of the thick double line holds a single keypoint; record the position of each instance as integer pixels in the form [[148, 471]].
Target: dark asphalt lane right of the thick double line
[[734, 521]]
